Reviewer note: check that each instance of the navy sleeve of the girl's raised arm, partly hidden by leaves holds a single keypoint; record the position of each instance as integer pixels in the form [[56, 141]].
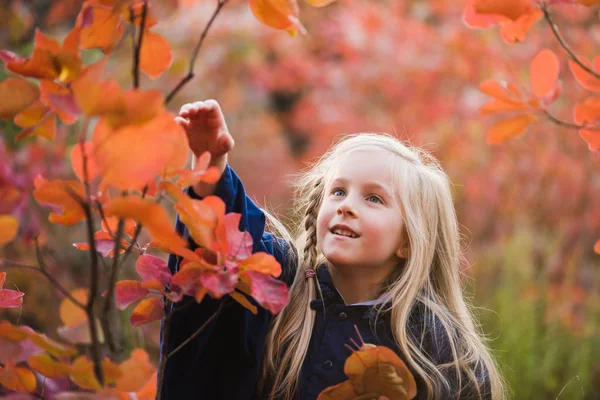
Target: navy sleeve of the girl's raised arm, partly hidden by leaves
[[230, 346]]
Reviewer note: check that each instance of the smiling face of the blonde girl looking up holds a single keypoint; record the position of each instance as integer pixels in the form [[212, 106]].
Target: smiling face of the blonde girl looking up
[[359, 223]]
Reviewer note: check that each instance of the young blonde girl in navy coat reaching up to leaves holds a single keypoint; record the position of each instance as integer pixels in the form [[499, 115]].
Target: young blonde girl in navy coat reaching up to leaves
[[377, 249]]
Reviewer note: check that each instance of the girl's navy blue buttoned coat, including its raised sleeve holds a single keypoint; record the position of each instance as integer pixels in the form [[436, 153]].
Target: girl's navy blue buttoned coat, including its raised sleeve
[[224, 361]]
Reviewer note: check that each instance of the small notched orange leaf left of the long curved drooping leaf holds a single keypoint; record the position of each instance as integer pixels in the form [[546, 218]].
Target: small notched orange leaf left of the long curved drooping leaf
[[60, 193]]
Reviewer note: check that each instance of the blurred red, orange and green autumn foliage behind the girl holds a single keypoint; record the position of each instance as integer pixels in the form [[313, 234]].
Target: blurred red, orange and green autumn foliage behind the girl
[[410, 68]]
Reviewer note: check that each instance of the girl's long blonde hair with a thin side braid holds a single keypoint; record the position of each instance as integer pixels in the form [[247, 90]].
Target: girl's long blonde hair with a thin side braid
[[430, 277]]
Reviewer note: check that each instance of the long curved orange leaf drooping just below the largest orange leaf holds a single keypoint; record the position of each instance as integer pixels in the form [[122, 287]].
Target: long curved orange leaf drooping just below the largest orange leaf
[[154, 218]]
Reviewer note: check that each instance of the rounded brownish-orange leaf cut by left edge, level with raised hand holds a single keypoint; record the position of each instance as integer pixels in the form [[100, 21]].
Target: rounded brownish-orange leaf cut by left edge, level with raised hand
[[17, 94]]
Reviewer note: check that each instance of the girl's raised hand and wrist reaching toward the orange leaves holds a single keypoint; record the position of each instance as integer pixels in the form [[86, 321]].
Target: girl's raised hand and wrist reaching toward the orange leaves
[[204, 123]]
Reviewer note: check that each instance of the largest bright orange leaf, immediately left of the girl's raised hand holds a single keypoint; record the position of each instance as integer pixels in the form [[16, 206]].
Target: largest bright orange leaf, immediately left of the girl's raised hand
[[144, 151]]
